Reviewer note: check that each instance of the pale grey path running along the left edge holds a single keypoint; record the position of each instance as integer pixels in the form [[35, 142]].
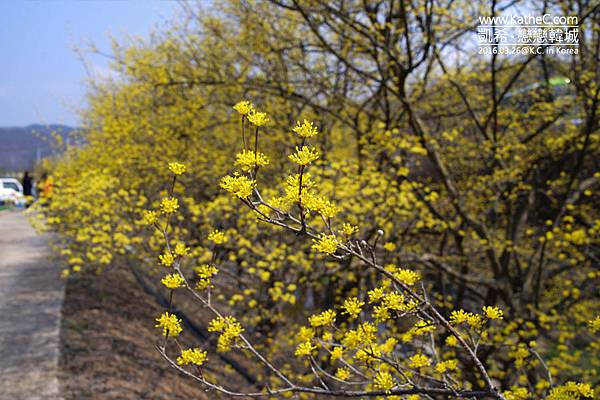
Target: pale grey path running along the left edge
[[31, 295]]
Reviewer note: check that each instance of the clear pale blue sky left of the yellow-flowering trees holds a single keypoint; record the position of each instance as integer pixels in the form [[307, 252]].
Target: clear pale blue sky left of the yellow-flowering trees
[[41, 77]]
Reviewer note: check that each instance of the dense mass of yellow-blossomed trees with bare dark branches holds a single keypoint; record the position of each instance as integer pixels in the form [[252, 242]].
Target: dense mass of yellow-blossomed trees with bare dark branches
[[395, 230]]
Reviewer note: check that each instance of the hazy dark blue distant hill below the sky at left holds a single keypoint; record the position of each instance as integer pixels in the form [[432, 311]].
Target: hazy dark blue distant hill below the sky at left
[[22, 147]]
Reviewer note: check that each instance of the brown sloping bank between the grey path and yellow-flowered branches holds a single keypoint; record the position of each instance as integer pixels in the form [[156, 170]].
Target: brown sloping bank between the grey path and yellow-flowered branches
[[107, 340]]
